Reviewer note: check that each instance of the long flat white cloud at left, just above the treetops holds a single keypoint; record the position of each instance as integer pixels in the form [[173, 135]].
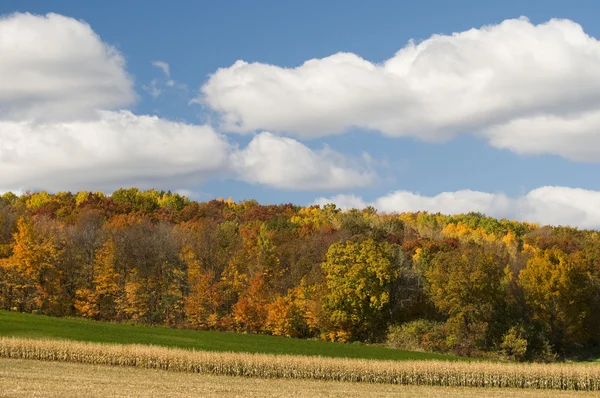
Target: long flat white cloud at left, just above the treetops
[[116, 148]]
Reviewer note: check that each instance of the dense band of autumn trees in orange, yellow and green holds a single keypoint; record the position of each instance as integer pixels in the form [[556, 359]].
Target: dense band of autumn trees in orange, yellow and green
[[467, 284]]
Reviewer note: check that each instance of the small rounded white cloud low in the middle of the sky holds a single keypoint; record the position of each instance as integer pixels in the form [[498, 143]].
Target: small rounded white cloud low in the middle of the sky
[[287, 163]]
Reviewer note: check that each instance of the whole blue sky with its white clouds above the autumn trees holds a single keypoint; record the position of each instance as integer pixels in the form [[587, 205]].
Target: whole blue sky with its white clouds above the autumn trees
[[405, 106]]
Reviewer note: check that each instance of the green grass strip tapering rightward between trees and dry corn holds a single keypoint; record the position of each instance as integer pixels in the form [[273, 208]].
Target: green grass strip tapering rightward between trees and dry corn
[[38, 326]]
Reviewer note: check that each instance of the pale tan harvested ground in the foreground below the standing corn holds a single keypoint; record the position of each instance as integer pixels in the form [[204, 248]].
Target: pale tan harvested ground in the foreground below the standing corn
[[31, 378]]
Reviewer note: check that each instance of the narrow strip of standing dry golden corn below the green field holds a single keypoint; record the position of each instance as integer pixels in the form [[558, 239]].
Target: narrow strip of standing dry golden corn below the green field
[[428, 373]]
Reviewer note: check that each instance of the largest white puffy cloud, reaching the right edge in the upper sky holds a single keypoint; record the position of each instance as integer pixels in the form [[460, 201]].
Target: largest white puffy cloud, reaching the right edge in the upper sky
[[500, 81]]
